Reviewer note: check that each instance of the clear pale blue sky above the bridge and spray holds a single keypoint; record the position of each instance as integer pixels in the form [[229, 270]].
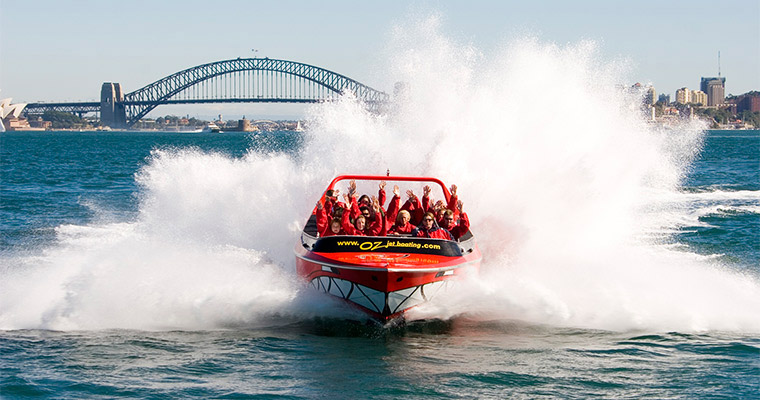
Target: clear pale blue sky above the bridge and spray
[[63, 50]]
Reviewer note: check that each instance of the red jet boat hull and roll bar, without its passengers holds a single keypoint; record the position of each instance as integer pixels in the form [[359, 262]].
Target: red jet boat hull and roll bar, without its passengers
[[383, 276]]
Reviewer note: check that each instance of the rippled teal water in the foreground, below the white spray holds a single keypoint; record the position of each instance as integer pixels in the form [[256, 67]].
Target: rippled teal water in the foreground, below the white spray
[[321, 359]]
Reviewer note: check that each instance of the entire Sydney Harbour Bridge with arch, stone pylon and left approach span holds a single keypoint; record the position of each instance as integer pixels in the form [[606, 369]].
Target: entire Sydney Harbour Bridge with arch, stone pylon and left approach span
[[241, 80]]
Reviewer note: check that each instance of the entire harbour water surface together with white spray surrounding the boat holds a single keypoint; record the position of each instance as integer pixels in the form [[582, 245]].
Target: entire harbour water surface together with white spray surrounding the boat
[[620, 260]]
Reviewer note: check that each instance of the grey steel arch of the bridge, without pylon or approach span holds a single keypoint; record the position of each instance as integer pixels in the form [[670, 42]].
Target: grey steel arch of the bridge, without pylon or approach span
[[139, 103]]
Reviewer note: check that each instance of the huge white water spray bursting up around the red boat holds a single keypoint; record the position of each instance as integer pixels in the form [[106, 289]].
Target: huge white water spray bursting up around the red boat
[[559, 173]]
